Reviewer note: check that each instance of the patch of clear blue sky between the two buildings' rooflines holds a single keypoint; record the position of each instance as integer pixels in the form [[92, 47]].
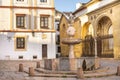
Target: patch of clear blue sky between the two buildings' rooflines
[[67, 5]]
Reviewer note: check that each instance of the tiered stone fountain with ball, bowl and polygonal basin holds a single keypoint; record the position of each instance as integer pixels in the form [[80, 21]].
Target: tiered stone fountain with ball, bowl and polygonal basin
[[71, 63]]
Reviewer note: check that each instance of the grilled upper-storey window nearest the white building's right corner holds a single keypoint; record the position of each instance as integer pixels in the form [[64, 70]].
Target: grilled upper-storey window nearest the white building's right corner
[[44, 22]]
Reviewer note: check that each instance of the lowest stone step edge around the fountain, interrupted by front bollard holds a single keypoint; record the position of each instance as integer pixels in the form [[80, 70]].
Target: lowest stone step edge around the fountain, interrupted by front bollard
[[102, 74]]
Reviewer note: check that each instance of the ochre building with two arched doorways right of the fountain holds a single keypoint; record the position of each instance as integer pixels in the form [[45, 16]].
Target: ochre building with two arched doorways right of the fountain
[[97, 25]]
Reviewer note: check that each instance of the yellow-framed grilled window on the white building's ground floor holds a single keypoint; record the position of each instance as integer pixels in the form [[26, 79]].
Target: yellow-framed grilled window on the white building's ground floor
[[20, 43]]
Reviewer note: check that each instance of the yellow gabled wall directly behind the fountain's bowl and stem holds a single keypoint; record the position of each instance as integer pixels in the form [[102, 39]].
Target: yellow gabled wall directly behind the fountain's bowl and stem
[[64, 47]]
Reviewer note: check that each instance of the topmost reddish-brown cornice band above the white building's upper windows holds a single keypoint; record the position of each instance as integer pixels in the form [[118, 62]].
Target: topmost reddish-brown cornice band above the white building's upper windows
[[27, 7]]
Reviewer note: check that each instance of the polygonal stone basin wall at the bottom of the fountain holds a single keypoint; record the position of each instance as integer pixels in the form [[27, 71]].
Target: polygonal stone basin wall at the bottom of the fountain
[[67, 64]]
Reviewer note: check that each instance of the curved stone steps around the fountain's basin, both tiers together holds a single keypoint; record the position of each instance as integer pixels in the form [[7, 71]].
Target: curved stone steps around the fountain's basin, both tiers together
[[39, 72]]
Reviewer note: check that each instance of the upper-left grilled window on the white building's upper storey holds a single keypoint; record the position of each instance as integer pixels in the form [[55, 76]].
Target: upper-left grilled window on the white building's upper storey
[[20, 21]]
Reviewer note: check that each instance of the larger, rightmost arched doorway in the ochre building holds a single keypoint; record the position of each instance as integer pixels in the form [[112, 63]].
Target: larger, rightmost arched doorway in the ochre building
[[105, 37]]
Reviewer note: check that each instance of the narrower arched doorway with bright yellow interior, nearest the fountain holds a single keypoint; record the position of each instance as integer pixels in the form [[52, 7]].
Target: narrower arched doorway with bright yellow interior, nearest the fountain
[[88, 41]]
